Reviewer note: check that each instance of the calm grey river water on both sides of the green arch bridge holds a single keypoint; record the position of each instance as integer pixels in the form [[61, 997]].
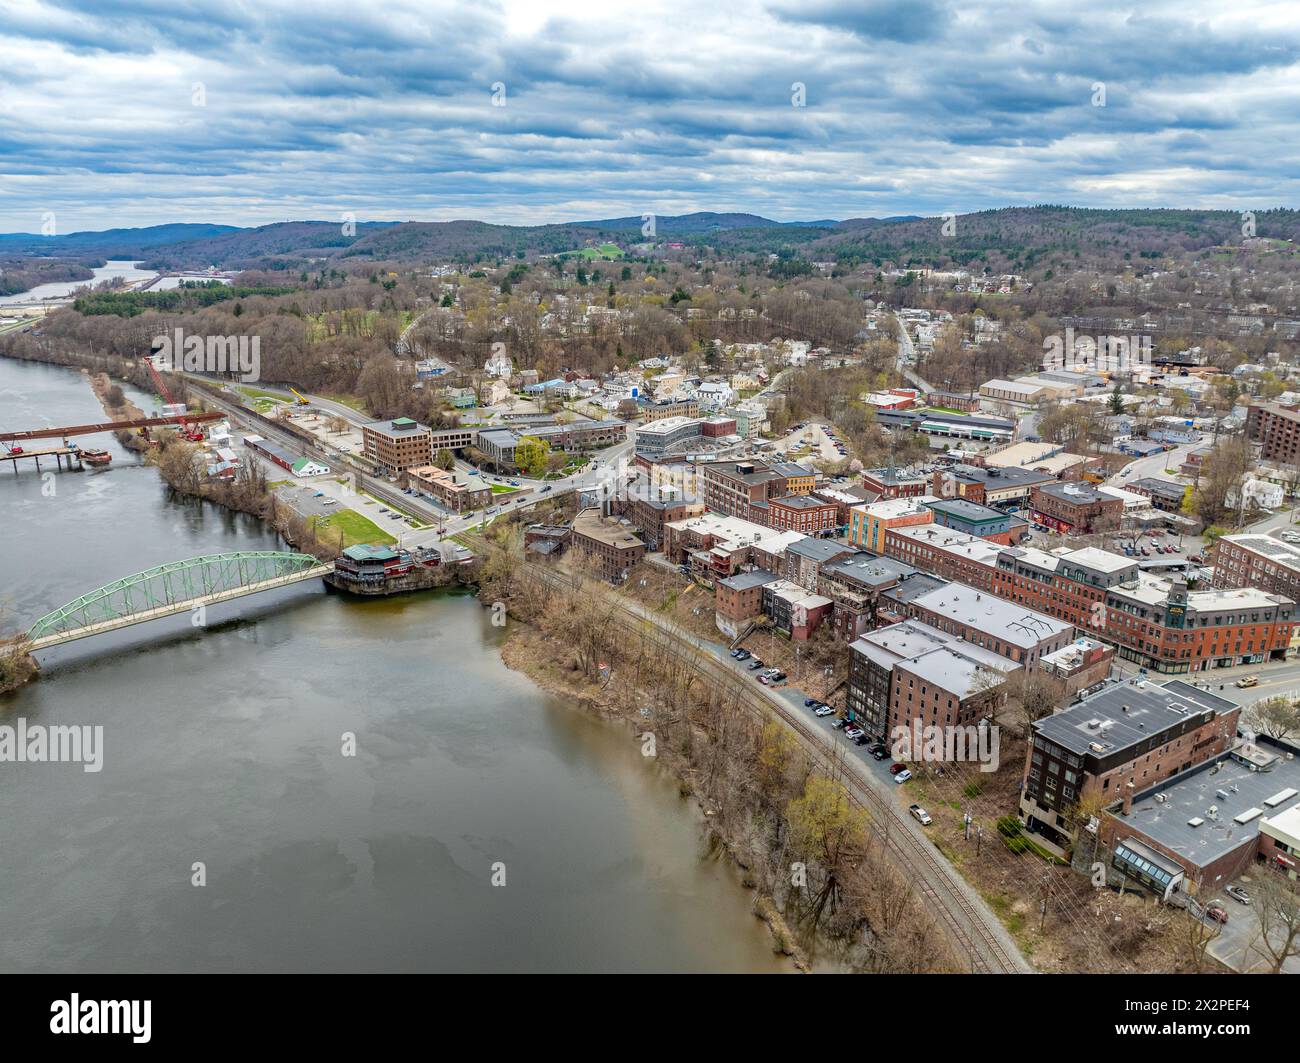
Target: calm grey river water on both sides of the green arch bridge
[[223, 748]]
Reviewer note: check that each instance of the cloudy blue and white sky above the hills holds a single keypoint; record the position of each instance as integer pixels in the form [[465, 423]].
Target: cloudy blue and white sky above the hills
[[137, 112]]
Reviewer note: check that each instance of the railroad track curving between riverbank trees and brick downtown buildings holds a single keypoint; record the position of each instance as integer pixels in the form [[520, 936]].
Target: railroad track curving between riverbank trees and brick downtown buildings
[[968, 927]]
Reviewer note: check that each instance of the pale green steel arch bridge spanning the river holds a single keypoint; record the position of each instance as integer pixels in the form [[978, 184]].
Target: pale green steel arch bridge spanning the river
[[170, 589]]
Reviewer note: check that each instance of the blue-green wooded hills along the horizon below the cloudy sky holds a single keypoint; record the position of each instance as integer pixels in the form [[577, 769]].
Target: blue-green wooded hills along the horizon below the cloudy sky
[[1016, 237]]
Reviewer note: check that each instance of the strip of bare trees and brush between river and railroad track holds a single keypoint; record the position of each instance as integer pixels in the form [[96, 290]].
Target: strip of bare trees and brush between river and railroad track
[[824, 882]]
